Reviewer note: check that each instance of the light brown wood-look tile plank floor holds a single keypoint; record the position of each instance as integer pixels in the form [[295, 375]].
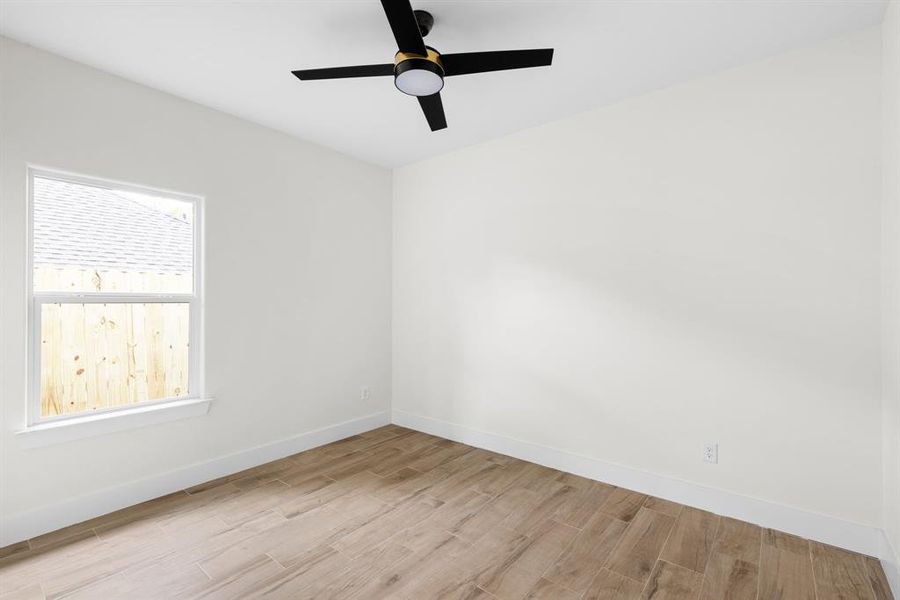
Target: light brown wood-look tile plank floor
[[396, 513]]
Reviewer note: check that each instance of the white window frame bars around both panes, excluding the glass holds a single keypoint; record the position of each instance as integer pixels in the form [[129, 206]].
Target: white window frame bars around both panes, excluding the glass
[[37, 299]]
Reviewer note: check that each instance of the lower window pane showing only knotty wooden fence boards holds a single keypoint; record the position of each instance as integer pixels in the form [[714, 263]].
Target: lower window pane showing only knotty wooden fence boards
[[98, 356]]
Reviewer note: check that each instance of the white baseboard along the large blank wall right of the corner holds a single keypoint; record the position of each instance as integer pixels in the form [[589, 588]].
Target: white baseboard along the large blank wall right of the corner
[[857, 537]]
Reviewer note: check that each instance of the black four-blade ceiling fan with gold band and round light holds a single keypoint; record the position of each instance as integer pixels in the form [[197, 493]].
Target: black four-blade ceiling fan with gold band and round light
[[419, 70]]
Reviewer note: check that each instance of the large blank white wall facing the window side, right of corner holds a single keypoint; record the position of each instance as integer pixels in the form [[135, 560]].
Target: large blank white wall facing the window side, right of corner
[[699, 264]]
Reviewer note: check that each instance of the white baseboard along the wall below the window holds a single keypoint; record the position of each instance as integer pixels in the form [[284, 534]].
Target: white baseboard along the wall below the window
[[28, 524]]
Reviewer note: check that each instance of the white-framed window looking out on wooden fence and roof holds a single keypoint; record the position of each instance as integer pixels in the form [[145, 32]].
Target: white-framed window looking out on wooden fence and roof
[[115, 315]]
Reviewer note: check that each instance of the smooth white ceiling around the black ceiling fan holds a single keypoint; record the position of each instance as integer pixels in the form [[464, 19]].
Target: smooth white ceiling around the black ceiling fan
[[237, 56]]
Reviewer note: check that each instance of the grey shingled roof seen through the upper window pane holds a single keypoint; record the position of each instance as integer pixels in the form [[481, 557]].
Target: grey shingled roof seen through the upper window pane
[[89, 227]]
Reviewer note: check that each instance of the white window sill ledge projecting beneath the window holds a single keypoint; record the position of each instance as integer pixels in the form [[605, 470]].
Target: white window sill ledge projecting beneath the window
[[58, 432]]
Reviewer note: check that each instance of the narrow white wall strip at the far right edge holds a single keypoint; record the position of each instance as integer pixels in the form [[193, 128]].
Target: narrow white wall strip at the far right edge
[[891, 278]]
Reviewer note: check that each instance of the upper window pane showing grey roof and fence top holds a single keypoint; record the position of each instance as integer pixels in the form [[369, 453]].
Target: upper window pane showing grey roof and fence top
[[93, 239]]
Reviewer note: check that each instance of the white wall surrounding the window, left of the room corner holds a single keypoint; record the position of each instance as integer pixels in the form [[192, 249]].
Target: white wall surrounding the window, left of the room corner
[[297, 271]]
